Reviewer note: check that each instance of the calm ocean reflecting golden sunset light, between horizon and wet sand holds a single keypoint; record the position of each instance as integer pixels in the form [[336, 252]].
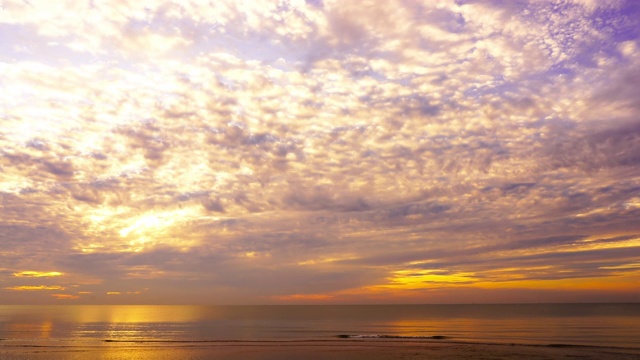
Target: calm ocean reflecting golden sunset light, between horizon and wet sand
[[615, 325]]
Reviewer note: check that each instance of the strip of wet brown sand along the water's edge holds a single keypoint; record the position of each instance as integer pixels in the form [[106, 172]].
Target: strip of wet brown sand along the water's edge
[[314, 350]]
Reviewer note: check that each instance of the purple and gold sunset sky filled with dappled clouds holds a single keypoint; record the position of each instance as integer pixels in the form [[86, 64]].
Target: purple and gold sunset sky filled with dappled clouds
[[319, 151]]
